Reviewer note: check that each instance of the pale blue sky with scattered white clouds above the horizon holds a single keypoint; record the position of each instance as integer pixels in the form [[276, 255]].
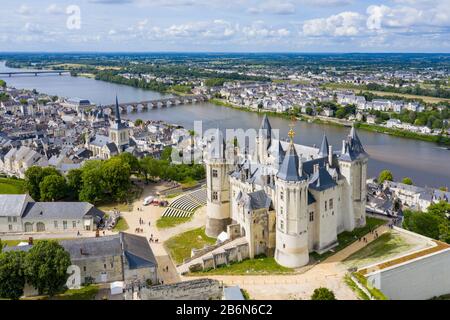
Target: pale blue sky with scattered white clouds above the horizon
[[225, 25]]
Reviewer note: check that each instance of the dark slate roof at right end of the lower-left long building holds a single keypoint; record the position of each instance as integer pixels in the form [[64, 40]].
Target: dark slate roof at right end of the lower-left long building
[[137, 251]]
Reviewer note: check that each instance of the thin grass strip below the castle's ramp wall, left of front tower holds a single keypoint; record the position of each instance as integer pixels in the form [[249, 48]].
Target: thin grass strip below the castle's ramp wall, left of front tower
[[261, 265]]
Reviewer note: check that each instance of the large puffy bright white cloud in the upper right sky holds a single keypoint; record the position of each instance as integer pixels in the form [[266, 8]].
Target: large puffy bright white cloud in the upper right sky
[[344, 24]]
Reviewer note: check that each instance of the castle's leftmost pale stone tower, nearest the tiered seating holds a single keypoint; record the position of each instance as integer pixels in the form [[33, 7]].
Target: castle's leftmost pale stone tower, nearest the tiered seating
[[218, 189]]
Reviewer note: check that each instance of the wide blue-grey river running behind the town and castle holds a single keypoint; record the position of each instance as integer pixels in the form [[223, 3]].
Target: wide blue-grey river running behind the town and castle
[[426, 163]]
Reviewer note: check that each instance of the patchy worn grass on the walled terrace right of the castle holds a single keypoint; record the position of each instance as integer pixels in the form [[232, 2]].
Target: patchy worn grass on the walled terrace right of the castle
[[385, 247]]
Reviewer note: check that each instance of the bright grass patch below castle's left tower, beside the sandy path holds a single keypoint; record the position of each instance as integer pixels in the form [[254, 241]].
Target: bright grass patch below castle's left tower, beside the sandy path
[[180, 246]]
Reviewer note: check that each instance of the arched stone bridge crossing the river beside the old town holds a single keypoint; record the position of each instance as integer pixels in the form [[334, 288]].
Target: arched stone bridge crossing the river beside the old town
[[153, 104]]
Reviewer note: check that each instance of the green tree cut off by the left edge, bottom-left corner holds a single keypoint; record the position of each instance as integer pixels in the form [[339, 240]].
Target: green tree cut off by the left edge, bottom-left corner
[[12, 274]]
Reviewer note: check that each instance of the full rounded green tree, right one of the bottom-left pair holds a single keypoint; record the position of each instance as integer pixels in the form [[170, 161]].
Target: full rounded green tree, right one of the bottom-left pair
[[46, 267]]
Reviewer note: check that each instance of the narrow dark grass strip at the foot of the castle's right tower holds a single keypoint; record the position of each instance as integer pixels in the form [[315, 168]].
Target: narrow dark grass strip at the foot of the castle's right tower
[[347, 238]]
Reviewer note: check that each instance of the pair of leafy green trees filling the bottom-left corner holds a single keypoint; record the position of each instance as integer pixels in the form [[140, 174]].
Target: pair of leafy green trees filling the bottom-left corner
[[44, 267]]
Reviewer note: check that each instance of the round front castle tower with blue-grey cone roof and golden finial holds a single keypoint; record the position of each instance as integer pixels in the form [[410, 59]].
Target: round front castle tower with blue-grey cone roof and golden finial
[[291, 208]]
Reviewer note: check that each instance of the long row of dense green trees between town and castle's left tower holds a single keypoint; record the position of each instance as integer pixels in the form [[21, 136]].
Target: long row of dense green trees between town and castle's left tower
[[101, 180]]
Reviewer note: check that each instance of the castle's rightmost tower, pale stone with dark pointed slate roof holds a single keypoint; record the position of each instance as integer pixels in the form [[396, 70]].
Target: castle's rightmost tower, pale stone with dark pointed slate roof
[[353, 166]]
